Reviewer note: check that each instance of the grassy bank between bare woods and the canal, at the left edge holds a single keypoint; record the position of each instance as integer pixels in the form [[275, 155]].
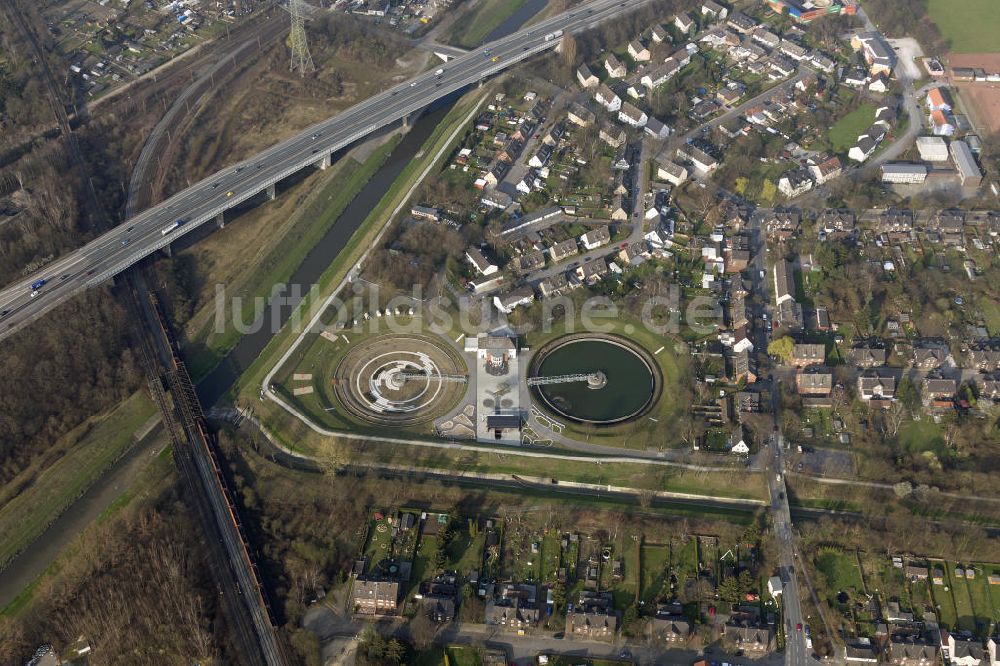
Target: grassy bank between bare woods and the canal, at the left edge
[[90, 449]]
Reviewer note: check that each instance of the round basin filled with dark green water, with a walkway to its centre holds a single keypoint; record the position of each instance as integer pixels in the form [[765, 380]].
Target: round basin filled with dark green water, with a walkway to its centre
[[595, 379]]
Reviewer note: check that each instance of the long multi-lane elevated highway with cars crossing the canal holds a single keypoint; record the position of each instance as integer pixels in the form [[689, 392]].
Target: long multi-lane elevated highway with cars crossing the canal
[[157, 227]]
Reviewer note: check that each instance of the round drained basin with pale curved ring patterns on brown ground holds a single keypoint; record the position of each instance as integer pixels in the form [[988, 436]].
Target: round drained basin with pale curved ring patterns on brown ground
[[399, 380]]
